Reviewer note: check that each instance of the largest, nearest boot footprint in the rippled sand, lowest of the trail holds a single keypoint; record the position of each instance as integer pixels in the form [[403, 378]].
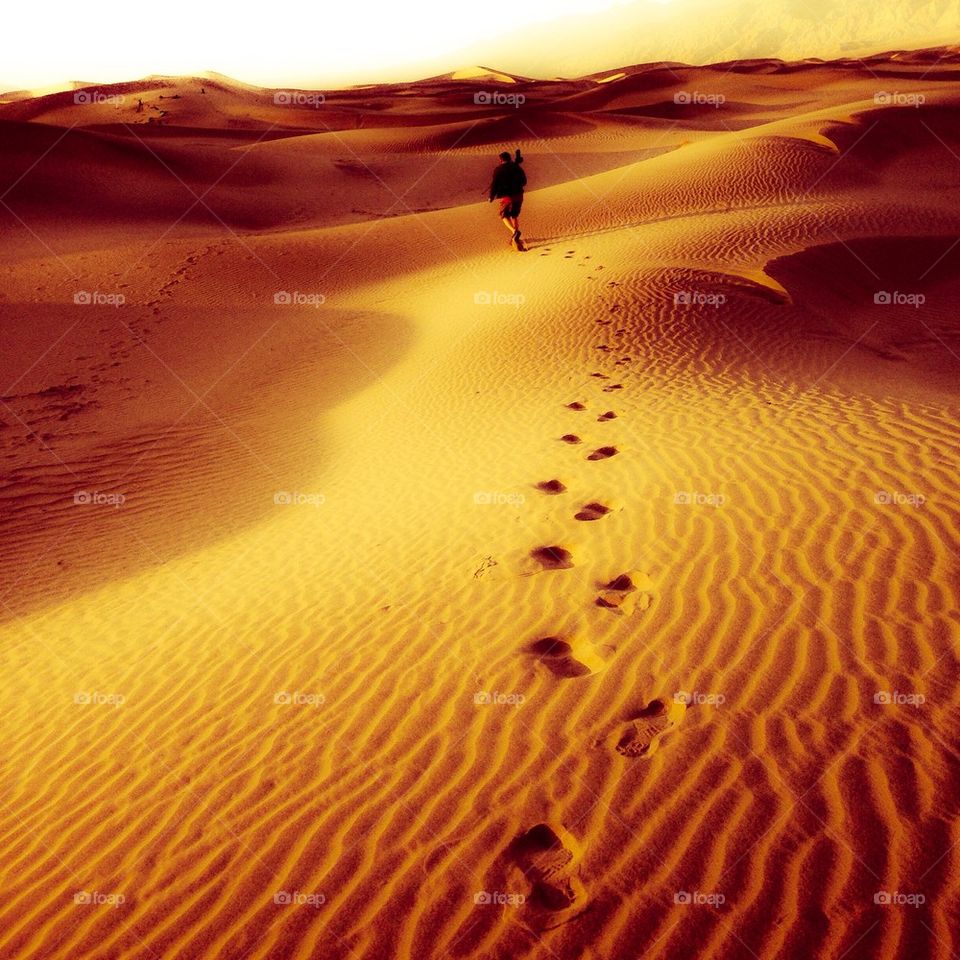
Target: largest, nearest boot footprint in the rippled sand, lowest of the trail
[[550, 859]]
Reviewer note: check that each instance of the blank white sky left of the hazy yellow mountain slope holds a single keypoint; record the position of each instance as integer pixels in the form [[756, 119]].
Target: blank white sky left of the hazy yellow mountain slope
[[51, 41]]
